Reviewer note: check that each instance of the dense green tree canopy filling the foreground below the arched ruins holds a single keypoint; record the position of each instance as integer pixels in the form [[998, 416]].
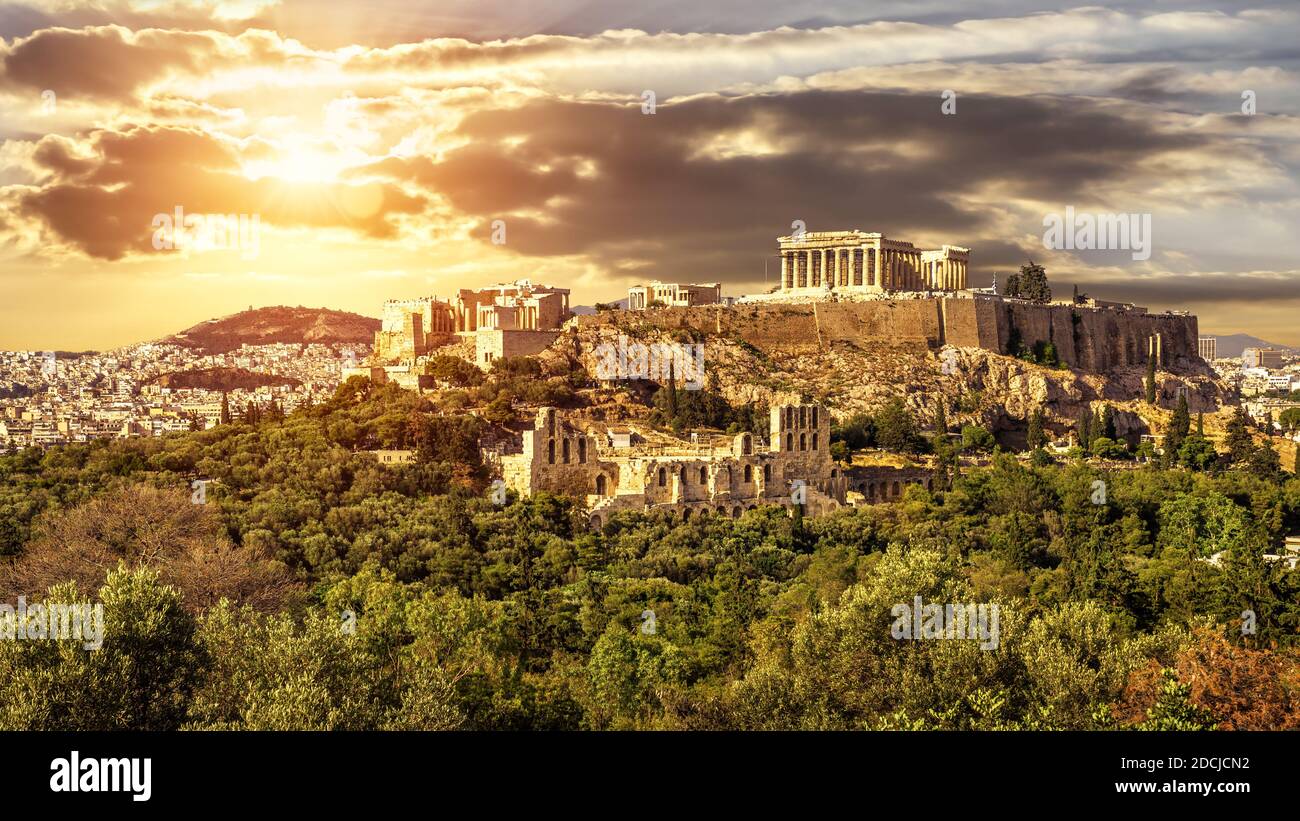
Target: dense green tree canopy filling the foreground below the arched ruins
[[434, 609]]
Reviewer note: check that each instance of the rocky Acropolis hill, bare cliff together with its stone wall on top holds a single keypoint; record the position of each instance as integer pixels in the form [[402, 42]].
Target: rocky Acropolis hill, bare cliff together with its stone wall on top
[[769, 358]]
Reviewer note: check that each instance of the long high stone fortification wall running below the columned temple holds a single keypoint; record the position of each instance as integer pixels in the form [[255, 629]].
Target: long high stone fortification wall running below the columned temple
[[1093, 340]]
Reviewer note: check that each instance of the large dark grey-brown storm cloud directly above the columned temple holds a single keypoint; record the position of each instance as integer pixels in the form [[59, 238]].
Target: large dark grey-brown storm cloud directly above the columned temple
[[632, 189]]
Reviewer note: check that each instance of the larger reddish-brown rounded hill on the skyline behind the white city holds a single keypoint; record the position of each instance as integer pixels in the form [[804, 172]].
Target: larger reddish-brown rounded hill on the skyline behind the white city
[[263, 327]]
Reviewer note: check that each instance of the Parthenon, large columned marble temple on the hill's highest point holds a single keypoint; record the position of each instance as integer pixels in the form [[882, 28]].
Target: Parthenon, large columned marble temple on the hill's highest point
[[859, 263]]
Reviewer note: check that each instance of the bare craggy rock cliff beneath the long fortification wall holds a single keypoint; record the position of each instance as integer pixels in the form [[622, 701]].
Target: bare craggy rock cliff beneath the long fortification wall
[[980, 386]]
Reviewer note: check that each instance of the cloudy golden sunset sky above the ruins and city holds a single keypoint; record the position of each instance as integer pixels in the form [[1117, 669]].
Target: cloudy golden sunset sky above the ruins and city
[[383, 150]]
